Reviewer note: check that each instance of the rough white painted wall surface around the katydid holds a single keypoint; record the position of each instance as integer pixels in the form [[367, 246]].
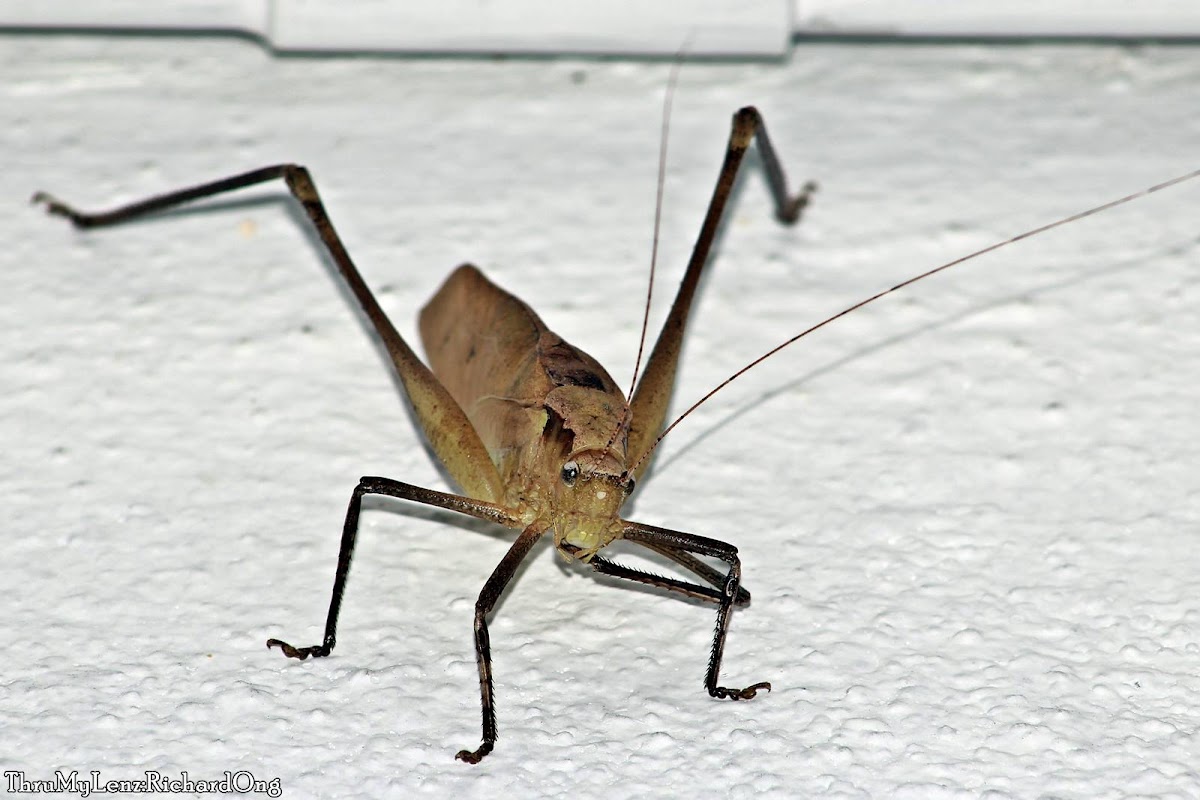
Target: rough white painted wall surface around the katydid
[[968, 515]]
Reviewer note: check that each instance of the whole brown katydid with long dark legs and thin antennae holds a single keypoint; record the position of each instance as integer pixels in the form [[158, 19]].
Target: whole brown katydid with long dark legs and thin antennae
[[536, 432]]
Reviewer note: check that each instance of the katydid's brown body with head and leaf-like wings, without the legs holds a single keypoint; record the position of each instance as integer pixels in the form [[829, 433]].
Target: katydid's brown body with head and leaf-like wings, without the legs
[[538, 405]]
